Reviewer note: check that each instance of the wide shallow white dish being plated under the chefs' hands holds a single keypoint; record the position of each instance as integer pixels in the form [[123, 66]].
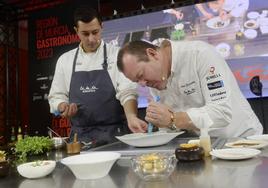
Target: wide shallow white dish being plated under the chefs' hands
[[147, 140]]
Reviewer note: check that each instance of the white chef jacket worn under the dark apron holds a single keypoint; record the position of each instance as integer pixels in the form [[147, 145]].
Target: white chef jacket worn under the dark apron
[[59, 91]]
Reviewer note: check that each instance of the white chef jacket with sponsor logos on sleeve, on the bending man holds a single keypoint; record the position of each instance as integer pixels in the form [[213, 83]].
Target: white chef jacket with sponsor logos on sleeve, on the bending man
[[202, 85]]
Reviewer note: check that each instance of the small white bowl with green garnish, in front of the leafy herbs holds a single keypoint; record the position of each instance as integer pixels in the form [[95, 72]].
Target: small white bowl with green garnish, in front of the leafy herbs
[[36, 169]]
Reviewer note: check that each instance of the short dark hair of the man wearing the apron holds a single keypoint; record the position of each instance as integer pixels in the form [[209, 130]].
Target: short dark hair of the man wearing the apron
[[85, 14]]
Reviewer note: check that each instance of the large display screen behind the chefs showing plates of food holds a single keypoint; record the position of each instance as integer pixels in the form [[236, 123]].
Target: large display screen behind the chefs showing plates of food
[[237, 28]]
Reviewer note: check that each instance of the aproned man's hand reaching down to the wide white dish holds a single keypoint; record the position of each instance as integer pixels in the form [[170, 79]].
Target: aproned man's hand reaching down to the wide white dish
[[136, 125]]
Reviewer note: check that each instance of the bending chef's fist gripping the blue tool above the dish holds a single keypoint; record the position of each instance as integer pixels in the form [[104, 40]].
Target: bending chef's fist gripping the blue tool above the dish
[[158, 114]]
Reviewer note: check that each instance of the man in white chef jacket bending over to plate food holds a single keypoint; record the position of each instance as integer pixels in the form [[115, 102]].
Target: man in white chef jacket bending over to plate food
[[196, 87]]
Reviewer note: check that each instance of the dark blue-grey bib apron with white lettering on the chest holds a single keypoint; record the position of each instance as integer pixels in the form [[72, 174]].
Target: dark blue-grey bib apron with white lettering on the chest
[[100, 116]]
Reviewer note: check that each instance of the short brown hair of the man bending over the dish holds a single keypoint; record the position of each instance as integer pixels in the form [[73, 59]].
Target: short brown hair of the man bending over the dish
[[136, 48]]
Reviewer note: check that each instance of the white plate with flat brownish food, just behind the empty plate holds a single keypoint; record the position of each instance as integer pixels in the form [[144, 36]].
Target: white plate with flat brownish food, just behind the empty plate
[[247, 144]]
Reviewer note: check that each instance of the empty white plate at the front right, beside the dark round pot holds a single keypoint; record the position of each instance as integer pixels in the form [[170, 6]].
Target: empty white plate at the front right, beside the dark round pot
[[235, 153]]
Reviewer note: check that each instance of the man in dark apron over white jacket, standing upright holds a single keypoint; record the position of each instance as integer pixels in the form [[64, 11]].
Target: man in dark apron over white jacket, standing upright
[[88, 88]]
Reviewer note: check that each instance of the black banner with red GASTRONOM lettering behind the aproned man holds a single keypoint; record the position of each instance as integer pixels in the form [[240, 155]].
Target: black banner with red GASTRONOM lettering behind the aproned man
[[51, 34]]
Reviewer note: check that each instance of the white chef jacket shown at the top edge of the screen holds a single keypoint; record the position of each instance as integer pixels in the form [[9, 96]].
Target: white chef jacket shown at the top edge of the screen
[[236, 7]]
